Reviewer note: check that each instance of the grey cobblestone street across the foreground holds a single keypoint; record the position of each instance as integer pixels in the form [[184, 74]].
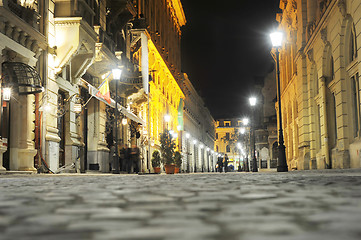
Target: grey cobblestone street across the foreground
[[295, 205]]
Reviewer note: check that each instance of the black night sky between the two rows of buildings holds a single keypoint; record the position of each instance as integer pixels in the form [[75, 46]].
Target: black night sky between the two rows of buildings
[[225, 44]]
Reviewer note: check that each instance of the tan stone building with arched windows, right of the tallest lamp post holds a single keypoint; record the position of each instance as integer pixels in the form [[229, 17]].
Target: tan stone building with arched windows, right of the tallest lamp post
[[319, 65]]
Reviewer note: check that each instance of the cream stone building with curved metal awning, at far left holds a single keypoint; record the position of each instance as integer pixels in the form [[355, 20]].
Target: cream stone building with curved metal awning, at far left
[[23, 55]]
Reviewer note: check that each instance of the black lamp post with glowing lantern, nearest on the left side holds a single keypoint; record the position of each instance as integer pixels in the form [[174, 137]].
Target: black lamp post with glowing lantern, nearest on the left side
[[116, 76]]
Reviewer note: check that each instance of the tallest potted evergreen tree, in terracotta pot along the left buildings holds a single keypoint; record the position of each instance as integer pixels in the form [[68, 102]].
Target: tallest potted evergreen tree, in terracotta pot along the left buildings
[[167, 146]]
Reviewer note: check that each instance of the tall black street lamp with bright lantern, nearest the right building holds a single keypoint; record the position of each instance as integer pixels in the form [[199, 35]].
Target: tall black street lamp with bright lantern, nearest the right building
[[277, 38]]
